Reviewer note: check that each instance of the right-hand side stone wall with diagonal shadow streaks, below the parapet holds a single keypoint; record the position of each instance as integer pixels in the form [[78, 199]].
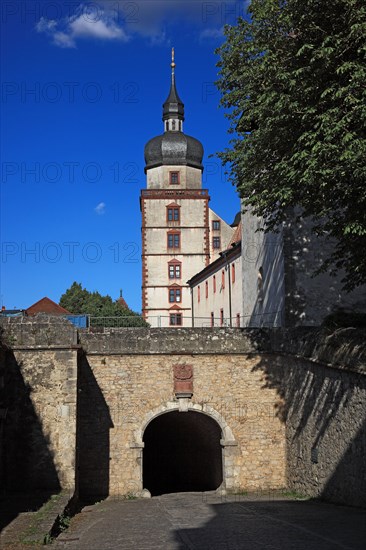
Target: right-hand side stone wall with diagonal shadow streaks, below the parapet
[[325, 416]]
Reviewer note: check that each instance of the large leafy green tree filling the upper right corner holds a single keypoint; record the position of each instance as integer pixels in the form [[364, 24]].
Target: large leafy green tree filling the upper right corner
[[293, 79]]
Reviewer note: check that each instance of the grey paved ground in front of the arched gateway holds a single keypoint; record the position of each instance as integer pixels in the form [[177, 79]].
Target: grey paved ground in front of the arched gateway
[[206, 521]]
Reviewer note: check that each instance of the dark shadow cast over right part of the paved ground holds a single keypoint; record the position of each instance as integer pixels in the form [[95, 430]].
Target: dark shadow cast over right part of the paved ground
[[247, 524]]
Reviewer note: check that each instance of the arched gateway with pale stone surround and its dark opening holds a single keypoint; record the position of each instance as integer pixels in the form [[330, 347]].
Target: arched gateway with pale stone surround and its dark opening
[[185, 448]]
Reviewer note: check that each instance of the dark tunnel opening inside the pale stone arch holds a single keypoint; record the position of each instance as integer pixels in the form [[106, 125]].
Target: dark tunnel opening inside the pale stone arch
[[182, 453]]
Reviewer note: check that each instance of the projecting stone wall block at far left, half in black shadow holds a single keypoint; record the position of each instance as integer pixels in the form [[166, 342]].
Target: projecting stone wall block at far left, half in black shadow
[[39, 432]]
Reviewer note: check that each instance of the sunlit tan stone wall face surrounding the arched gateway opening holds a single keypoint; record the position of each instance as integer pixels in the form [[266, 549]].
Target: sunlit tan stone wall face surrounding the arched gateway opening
[[138, 388]]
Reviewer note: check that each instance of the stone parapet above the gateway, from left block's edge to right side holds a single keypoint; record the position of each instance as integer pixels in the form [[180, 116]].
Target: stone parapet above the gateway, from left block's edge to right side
[[343, 348]]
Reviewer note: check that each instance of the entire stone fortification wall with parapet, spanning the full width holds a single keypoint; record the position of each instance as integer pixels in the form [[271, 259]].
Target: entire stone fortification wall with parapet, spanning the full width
[[291, 404]]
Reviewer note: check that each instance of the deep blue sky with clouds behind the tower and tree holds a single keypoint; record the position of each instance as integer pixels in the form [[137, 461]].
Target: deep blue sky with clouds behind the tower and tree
[[82, 92]]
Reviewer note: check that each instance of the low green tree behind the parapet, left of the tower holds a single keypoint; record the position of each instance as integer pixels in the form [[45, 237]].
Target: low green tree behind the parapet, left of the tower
[[78, 300]]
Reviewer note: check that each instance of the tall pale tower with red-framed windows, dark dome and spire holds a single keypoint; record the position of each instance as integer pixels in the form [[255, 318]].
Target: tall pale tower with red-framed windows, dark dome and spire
[[179, 236]]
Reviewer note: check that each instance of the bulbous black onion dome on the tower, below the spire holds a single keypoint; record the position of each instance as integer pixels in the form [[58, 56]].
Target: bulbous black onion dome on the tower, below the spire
[[173, 148]]
